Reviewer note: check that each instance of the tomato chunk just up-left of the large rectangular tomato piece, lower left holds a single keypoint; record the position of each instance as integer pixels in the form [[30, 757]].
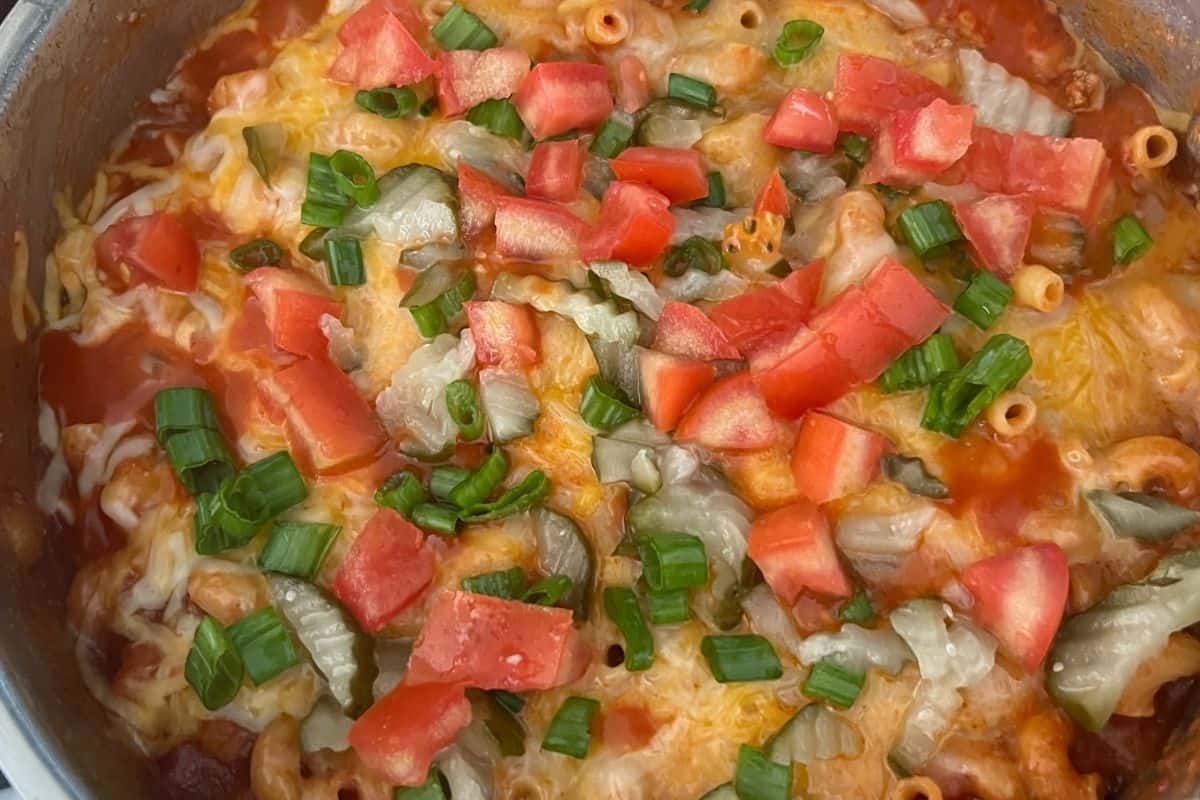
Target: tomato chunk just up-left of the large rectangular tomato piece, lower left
[[387, 568]]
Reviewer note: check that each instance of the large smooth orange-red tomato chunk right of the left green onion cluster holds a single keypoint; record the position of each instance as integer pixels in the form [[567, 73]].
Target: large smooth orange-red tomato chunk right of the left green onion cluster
[[327, 413]]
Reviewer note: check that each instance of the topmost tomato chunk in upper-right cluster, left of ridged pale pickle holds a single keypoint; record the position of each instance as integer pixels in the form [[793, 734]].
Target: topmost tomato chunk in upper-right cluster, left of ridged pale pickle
[[868, 91]]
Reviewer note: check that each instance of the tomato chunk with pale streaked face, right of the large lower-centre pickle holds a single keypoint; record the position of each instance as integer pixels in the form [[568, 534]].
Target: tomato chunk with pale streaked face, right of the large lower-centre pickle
[[795, 551]]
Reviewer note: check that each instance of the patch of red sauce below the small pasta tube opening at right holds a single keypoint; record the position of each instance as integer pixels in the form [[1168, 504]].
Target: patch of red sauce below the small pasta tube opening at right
[[1003, 483]]
